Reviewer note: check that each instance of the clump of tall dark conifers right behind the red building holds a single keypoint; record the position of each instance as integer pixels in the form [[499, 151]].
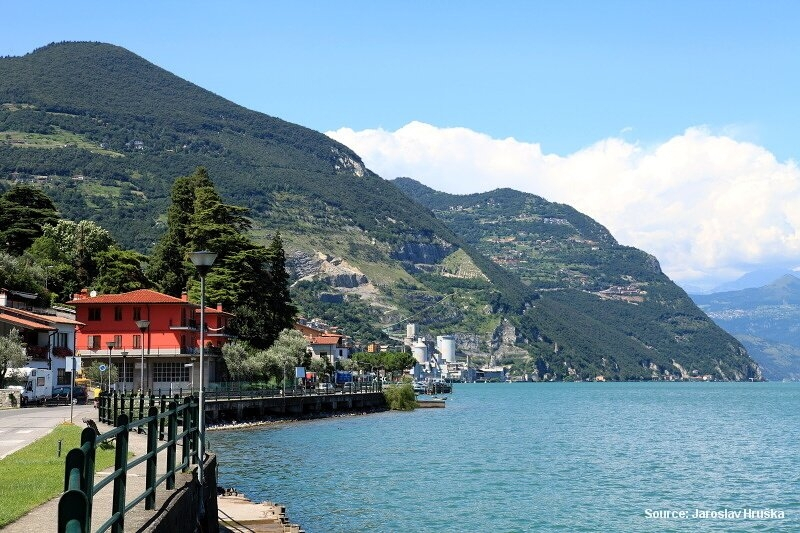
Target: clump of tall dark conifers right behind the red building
[[247, 278]]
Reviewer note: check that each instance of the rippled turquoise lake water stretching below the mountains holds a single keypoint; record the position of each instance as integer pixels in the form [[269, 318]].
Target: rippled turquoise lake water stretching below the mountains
[[537, 457]]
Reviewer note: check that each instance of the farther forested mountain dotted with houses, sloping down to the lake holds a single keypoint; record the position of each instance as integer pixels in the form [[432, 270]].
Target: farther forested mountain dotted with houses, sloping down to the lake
[[599, 300]]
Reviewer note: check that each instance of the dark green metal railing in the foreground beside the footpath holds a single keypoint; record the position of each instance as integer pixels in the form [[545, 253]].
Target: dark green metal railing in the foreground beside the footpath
[[75, 505]]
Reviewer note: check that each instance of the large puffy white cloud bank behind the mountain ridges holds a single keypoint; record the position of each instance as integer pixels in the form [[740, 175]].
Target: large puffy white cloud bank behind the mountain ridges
[[707, 206]]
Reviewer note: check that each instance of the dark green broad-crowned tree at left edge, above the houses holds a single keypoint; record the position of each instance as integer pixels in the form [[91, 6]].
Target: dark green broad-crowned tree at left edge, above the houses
[[24, 210]]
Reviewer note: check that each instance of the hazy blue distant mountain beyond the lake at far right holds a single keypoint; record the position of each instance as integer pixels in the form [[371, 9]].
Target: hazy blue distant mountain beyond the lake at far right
[[766, 320]]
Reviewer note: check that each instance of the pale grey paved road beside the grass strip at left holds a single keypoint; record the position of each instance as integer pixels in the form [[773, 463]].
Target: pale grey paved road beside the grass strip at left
[[20, 427]]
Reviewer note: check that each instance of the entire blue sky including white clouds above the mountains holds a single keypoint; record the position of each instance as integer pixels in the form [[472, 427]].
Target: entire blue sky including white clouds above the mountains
[[673, 124]]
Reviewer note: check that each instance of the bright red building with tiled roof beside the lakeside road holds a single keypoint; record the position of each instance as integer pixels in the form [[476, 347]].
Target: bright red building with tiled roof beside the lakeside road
[[165, 353]]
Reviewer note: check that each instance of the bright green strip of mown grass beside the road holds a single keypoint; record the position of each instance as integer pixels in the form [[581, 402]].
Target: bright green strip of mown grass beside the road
[[35, 474]]
